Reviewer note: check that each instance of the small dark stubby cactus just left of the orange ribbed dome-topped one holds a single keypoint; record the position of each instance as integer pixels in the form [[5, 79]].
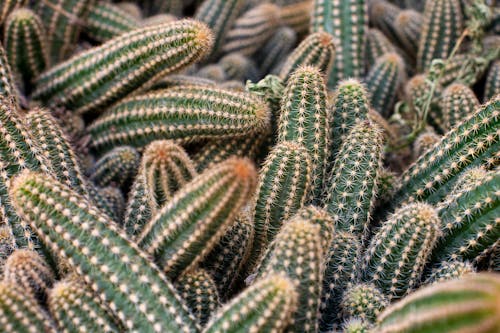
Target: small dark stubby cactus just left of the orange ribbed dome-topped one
[[117, 167]]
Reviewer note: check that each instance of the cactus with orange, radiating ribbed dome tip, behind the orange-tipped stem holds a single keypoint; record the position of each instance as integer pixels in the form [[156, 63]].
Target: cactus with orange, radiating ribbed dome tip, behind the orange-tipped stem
[[164, 169]]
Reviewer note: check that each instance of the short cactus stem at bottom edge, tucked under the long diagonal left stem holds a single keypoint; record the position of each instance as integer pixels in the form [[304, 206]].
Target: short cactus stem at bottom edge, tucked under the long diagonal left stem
[[75, 308]]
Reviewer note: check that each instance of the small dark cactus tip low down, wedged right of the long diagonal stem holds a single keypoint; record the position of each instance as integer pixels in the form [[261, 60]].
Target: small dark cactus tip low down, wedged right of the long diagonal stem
[[200, 293]]
